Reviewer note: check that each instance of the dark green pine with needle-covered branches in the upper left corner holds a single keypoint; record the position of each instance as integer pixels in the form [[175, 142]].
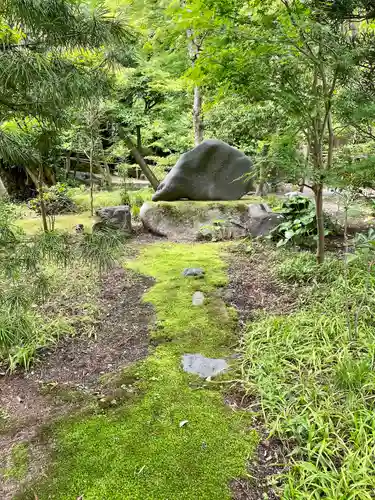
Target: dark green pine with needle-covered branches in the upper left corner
[[40, 73]]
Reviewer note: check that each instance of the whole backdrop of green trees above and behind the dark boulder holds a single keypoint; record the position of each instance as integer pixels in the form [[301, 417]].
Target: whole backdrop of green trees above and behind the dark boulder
[[288, 81]]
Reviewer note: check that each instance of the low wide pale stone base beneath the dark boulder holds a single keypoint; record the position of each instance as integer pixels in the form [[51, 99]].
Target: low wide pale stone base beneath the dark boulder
[[190, 221]]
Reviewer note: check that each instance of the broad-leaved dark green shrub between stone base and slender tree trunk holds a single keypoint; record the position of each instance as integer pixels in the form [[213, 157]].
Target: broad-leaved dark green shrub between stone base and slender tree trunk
[[299, 226]]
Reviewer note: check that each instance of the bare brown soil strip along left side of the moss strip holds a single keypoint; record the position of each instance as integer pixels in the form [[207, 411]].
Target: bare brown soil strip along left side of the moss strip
[[71, 371]]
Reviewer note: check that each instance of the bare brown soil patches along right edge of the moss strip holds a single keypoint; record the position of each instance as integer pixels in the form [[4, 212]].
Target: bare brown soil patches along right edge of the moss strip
[[253, 288]]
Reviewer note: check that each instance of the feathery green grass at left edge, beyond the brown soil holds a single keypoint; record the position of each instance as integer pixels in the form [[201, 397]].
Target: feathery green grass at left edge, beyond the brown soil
[[29, 267]]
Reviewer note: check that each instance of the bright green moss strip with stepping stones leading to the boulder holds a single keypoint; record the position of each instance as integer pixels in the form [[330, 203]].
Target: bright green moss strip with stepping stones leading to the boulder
[[140, 449]]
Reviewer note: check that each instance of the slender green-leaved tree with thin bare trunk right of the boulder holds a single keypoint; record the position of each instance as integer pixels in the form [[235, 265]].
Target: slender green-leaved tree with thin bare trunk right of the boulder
[[302, 60]]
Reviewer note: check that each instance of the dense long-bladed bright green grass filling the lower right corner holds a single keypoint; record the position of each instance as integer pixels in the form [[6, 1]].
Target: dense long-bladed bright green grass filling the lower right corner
[[314, 373]]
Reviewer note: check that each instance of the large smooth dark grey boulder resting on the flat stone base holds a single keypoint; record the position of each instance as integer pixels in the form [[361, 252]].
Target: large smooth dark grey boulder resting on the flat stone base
[[211, 171]]
